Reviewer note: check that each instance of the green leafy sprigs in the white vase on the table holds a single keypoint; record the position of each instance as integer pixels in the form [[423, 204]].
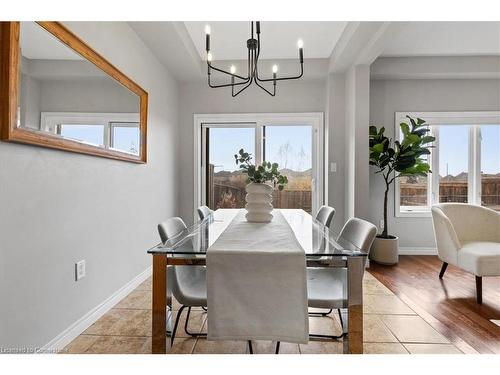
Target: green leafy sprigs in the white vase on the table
[[267, 172]]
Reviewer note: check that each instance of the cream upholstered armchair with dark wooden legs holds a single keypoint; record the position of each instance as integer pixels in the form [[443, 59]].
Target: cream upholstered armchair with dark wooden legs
[[468, 237]]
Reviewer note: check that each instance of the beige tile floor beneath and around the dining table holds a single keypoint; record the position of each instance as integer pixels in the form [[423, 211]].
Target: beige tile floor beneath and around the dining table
[[390, 327]]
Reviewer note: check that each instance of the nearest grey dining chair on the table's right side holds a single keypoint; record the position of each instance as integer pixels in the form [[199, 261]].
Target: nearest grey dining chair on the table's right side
[[325, 286]]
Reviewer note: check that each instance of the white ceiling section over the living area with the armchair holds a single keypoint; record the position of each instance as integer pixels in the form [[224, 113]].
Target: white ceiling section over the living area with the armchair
[[444, 39]]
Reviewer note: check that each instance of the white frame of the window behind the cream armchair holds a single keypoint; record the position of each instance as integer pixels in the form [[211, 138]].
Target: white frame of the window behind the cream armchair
[[437, 119]]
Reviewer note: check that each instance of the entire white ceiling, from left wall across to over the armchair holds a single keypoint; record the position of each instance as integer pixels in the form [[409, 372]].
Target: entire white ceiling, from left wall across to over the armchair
[[180, 46]]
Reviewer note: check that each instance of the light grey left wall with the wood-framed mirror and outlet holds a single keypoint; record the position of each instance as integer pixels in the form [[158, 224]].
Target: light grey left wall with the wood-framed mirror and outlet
[[58, 207]]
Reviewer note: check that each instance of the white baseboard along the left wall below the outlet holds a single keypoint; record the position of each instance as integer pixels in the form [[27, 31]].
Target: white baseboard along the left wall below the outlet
[[74, 330]]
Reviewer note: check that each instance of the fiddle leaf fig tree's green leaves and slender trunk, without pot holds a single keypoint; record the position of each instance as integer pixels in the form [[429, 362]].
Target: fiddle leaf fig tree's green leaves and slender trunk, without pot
[[394, 159]]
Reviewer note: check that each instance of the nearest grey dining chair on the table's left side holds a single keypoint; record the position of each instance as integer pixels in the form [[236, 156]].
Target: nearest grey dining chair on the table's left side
[[189, 284]]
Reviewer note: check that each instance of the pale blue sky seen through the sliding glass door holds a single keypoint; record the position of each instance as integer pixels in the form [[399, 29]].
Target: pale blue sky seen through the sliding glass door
[[289, 146]]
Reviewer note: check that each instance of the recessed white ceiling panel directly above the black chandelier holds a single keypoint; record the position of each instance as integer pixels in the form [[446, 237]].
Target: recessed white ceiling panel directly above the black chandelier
[[278, 39]]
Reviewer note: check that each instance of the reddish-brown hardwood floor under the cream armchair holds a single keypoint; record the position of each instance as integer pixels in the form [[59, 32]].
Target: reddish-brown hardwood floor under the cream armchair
[[449, 305]]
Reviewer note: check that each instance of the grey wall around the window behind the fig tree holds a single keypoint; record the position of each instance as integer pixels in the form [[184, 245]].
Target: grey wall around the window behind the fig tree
[[390, 96]]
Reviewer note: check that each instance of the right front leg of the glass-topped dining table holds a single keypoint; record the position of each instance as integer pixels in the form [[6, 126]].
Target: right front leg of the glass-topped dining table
[[353, 322]]
